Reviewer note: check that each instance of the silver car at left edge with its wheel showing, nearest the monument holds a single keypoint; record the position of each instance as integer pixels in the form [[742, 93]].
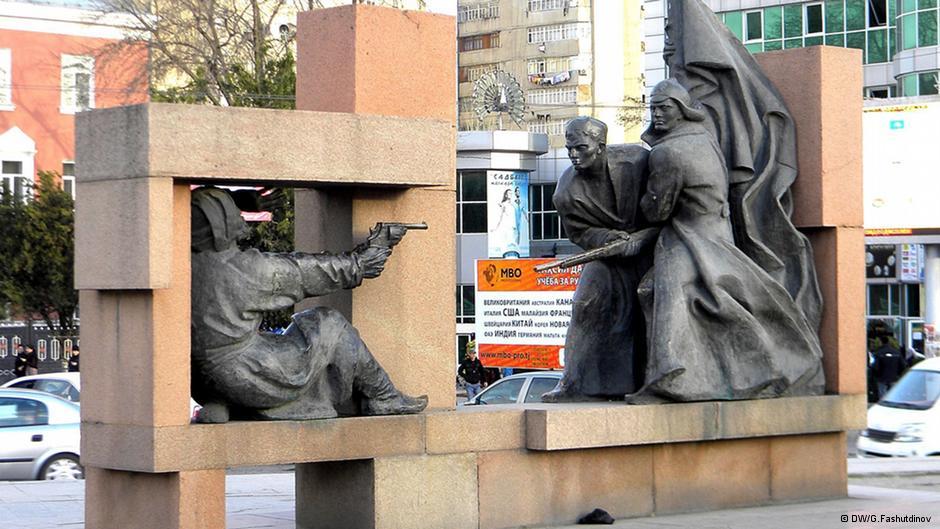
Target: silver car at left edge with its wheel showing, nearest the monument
[[39, 436]]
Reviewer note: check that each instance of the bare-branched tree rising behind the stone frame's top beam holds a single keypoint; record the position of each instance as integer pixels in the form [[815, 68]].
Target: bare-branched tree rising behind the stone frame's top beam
[[221, 51]]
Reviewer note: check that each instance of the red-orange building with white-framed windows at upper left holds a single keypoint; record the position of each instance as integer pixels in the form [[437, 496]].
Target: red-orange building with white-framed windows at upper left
[[57, 58]]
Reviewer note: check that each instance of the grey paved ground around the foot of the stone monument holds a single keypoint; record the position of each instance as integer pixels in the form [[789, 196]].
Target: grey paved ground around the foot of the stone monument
[[266, 501]]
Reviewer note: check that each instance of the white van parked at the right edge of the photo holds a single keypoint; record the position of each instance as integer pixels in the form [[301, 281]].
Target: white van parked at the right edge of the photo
[[906, 421]]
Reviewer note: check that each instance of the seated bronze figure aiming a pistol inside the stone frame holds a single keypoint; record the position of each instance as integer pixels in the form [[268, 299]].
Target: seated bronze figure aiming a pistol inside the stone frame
[[319, 363]]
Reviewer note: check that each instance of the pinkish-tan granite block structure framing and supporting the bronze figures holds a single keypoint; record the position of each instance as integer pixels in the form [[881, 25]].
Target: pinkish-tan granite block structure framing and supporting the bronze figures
[[391, 87]]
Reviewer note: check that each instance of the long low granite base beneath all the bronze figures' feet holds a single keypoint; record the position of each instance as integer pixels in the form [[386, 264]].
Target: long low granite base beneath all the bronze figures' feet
[[494, 467]]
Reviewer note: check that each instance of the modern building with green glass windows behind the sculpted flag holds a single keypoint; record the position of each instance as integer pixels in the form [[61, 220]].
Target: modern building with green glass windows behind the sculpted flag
[[898, 38]]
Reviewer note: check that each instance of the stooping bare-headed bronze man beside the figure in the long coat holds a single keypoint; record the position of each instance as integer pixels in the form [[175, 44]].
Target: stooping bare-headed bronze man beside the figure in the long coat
[[598, 200]]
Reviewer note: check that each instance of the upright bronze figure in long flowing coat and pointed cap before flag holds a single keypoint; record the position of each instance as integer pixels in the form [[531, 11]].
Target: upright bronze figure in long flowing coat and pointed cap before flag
[[721, 326]]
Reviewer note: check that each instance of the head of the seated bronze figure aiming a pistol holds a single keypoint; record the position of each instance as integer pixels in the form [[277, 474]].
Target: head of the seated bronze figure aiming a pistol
[[217, 222]]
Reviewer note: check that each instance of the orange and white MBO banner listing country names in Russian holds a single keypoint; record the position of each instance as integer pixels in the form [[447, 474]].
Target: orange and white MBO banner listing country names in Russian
[[522, 315]]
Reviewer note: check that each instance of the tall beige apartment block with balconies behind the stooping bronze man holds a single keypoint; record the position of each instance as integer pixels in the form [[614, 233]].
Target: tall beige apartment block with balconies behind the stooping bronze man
[[570, 57]]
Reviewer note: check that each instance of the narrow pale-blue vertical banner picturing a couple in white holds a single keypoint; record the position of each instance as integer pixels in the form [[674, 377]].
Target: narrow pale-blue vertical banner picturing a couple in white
[[507, 210]]
